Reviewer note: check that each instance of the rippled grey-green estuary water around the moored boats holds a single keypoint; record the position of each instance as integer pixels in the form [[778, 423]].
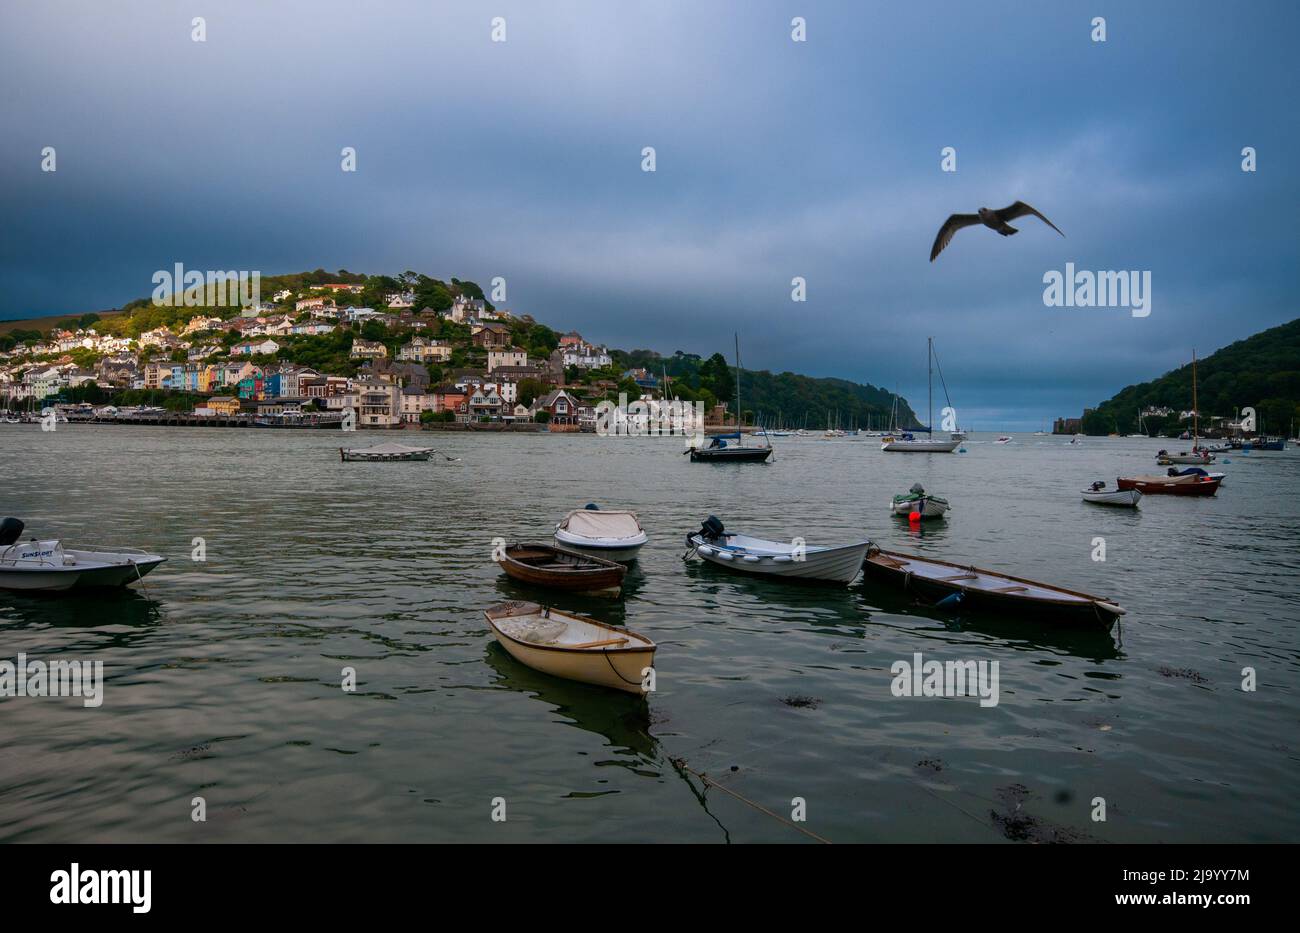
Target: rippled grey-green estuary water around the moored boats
[[223, 676]]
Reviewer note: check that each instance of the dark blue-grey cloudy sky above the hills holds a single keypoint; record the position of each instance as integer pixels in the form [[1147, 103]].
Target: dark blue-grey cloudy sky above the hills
[[775, 159]]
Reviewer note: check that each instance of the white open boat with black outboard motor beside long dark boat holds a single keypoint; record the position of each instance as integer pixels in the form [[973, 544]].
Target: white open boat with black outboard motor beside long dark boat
[[794, 561]]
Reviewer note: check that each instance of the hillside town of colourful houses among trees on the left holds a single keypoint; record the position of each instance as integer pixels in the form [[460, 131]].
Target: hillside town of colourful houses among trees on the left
[[391, 368]]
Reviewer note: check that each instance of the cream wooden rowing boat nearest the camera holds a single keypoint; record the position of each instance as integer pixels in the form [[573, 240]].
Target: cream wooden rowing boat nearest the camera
[[574, 648]]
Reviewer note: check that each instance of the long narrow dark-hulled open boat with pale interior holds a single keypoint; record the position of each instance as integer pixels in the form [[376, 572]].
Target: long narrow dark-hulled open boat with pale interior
[[978, 591]]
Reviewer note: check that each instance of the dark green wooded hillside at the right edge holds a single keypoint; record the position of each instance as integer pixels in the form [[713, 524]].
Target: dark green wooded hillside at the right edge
[[1262, 372]]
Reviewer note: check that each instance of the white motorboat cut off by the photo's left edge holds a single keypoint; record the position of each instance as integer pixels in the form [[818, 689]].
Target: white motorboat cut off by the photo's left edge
[[49, 567]]
